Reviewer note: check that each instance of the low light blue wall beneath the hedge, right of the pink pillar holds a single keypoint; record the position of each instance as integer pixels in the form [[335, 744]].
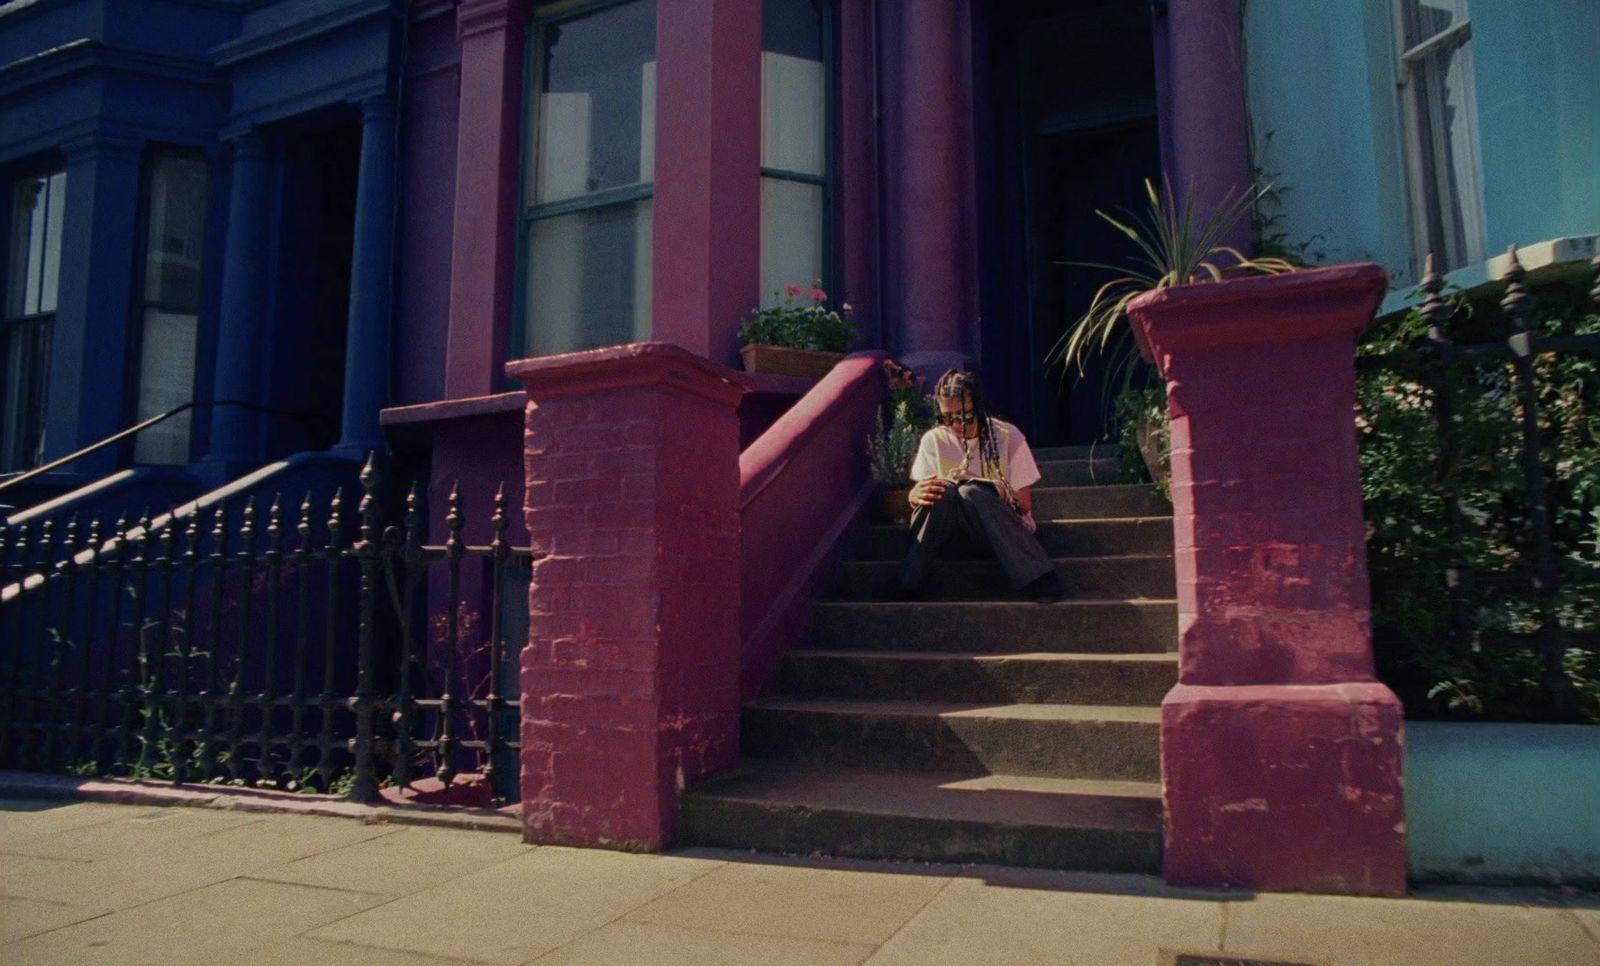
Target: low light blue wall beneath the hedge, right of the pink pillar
[[1503, 802]]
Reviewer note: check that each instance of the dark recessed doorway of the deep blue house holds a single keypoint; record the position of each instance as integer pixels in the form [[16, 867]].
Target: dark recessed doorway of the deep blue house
[[313, 293]]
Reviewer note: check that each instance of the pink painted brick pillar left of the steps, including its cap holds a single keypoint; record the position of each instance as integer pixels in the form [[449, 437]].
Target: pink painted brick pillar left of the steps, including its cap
[[631, 676]]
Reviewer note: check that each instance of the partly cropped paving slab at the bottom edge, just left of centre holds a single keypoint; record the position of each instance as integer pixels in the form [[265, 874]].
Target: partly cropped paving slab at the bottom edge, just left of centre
[[679, 946]]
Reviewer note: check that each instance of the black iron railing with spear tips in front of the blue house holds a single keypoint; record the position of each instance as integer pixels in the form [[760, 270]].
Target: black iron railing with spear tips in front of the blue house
[[300, 649]]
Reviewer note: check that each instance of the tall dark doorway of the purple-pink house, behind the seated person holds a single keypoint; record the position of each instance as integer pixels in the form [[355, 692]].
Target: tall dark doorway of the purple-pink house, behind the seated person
[[1073, 130]]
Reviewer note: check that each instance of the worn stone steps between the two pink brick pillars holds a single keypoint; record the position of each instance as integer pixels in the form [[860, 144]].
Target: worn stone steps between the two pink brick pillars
[[974, 727]]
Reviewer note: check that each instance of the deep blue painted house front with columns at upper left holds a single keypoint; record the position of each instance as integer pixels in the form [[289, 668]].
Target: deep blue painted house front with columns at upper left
[[292, 106]]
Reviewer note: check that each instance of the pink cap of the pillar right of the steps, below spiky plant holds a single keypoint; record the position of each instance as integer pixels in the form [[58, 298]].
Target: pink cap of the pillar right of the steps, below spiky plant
[[1260, 309]]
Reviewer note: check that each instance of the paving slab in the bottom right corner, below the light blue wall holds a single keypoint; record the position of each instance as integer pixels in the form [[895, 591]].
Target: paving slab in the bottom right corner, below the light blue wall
[[1356, 932]]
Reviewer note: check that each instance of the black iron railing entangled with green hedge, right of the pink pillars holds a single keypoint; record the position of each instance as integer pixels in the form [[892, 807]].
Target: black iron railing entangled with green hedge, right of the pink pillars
[[1519, 585]]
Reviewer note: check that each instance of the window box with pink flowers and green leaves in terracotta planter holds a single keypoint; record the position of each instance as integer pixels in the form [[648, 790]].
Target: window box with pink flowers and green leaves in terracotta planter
[[799, 337]]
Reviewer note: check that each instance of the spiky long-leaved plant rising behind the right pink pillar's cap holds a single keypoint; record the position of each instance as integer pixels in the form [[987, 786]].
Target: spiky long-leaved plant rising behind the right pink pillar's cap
[[1177, 249]]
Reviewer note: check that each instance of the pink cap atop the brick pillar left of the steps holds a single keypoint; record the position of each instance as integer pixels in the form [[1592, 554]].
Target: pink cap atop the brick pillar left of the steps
[[625, 367]]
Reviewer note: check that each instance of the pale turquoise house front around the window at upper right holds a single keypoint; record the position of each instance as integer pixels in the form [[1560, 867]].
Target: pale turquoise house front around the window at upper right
[[1327, 126]]
